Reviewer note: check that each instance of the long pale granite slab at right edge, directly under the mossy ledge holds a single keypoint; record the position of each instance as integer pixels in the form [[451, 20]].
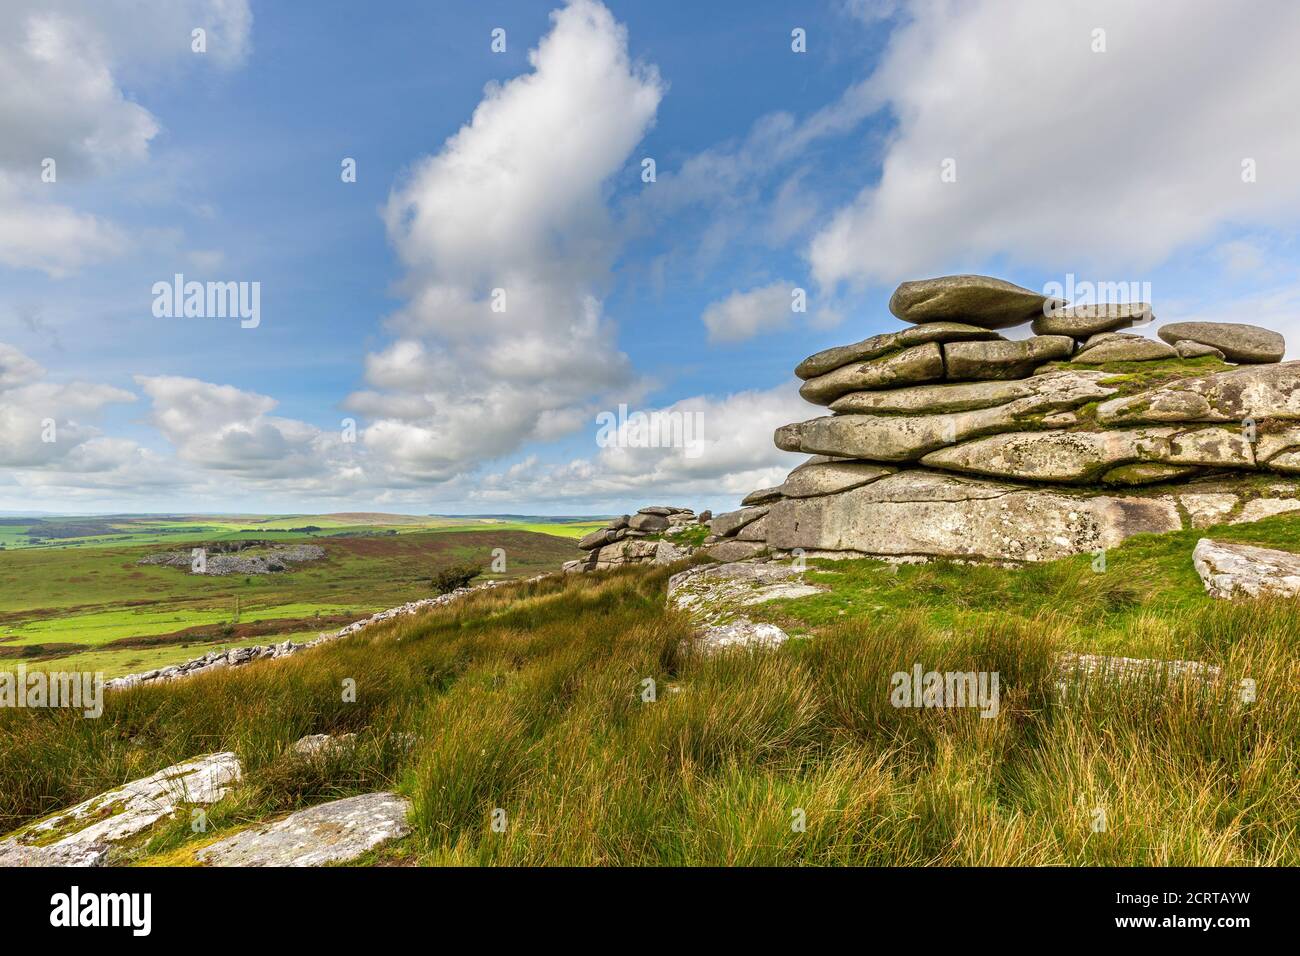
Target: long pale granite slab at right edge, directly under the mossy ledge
[[1259, 392]]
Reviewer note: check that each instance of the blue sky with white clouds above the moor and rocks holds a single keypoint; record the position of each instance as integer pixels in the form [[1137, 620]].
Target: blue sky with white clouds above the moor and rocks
[[573, 215]]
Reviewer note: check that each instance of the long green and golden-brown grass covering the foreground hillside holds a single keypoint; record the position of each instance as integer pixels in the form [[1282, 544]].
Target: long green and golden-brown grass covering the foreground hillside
[[528, 699]]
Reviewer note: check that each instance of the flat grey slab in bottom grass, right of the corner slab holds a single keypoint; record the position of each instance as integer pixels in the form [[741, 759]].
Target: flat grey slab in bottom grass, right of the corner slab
[[337, 832]]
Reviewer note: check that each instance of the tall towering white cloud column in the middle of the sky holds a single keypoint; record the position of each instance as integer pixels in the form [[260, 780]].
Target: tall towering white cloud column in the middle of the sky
[[508, 243]]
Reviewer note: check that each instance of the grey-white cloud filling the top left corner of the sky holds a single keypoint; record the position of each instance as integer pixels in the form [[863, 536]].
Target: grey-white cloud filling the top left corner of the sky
[[63, 100]]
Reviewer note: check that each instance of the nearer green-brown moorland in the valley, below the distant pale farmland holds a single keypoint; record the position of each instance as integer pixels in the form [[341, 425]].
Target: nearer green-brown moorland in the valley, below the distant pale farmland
[[64, 608]]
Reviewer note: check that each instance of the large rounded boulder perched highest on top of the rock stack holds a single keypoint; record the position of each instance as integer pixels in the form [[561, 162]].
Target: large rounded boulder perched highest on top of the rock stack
[[981, 301]]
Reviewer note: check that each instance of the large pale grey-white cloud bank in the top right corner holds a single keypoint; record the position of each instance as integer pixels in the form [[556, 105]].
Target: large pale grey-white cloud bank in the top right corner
[[1064, 157]]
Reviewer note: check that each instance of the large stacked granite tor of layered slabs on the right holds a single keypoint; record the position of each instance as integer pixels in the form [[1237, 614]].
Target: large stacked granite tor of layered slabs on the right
[[950, 440]]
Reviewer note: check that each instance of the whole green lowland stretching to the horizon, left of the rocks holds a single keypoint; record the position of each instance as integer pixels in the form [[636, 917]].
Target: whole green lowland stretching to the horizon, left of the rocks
[[85, 604]]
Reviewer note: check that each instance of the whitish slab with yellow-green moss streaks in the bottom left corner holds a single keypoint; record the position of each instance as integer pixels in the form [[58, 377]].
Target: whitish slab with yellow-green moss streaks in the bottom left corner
[[85, 834]]
